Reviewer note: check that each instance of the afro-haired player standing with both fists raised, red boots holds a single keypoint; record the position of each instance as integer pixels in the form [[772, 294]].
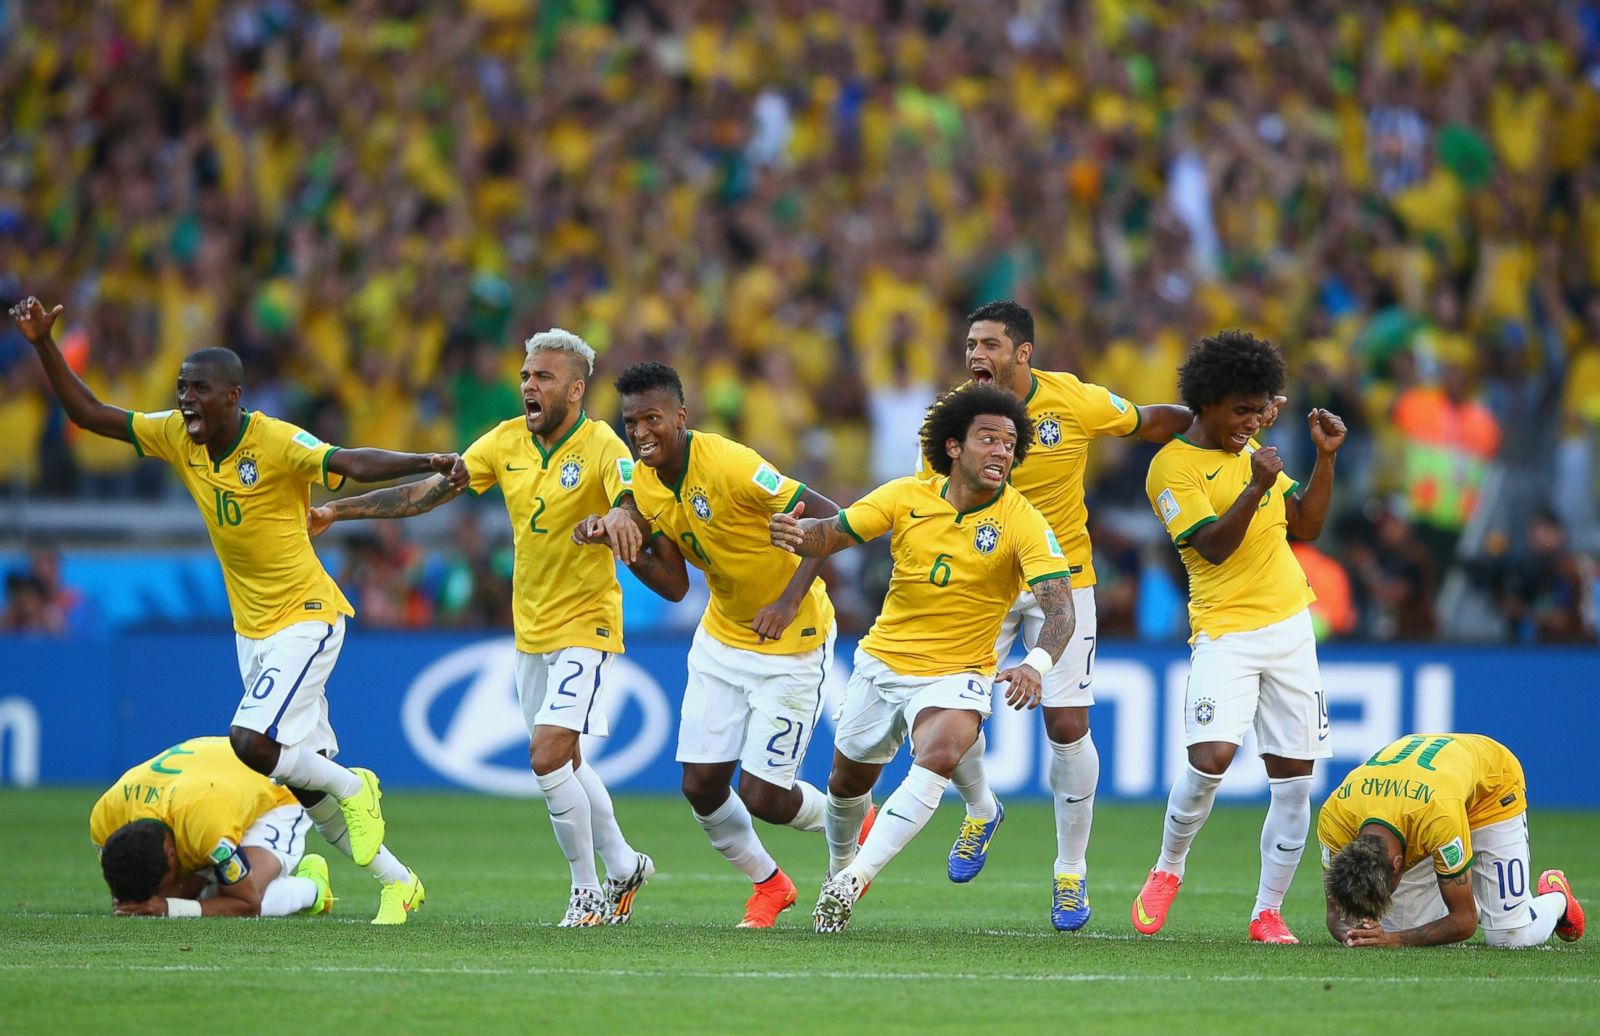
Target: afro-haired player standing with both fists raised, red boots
[[1228, 506]]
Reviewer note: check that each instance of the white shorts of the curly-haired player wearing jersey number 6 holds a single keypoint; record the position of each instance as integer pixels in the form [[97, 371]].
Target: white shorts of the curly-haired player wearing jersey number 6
[[881, 706]]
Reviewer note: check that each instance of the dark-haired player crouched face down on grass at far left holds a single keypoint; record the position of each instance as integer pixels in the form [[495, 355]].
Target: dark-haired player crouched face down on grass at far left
[[194, 834]]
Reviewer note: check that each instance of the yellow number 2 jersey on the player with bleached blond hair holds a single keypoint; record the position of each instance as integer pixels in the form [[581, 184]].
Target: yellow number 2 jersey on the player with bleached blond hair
[[566, 596]]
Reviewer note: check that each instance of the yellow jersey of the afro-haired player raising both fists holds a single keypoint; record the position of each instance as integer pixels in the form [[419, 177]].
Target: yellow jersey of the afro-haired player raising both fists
[[1258, 584]]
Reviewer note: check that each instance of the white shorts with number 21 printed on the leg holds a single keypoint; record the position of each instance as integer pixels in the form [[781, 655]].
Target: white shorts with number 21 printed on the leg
[[753, 707]]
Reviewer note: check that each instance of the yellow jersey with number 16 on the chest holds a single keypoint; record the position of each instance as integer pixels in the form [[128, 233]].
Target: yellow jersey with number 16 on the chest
[[255, 503]]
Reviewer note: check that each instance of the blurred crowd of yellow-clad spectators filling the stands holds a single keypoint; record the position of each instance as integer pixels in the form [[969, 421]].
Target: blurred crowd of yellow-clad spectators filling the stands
[[796, 202]]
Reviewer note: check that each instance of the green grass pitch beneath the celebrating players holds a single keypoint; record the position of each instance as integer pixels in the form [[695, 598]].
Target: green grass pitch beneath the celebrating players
[[922, 955]]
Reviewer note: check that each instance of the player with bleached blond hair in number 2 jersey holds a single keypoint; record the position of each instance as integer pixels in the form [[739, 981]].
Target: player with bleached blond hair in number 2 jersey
[[554, 466]]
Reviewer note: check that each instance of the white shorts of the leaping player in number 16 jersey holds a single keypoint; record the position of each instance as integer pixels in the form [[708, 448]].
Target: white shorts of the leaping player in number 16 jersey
[[287, 685]]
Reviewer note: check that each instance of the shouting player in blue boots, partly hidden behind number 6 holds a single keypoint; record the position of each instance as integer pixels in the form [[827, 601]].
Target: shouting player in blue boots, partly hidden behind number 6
[[1068, 415]]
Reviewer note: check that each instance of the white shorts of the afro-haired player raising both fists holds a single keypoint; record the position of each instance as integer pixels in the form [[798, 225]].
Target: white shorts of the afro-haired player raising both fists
[[1263, 680]]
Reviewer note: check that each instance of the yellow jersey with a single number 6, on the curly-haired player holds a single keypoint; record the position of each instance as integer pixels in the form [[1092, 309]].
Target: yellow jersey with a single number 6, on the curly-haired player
[[956, 573]]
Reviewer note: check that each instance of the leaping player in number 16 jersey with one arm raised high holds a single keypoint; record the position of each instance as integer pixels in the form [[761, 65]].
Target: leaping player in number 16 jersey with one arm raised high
[[252, 479]]
